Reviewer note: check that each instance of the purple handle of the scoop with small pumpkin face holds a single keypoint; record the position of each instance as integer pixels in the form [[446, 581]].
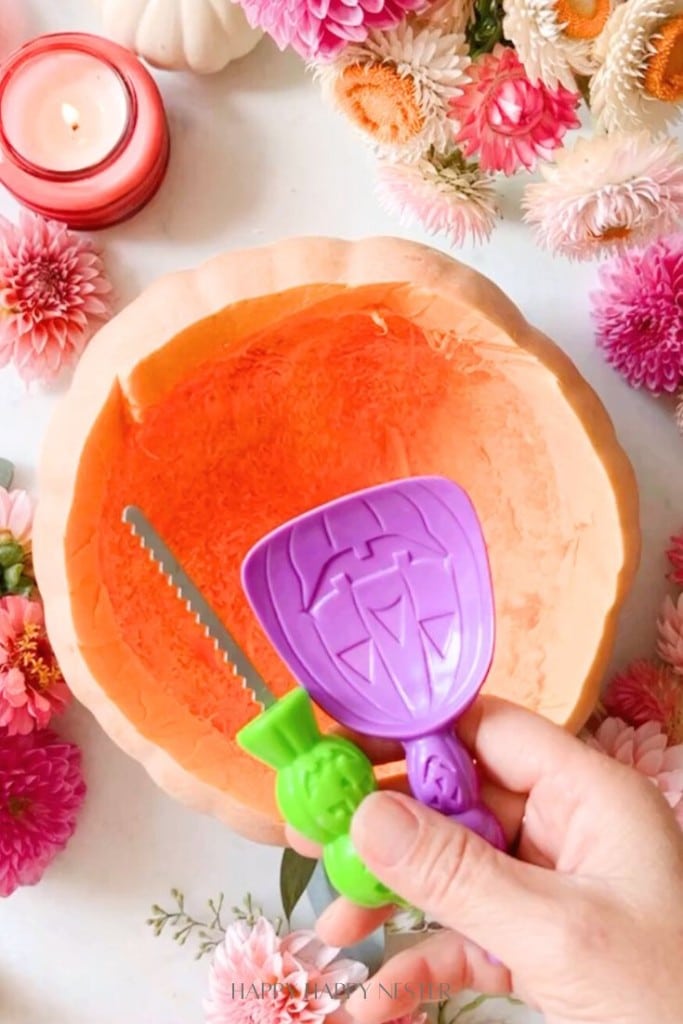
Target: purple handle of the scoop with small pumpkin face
[[443, 777]]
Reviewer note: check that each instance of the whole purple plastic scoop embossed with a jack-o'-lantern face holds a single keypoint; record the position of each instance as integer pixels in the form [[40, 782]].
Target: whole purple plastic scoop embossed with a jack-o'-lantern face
[[381, 605]]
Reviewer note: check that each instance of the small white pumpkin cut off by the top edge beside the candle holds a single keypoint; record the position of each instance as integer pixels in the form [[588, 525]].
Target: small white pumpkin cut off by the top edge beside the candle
[[181, 35]]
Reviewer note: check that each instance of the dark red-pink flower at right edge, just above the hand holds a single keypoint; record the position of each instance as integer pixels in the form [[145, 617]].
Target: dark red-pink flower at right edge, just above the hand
[[648, 693]]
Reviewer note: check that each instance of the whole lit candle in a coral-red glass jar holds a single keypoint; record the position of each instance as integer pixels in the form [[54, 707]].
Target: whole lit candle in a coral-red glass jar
[[83, 133]]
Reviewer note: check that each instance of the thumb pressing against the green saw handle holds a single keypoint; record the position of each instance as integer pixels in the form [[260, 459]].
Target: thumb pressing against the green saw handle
[[455, 876]]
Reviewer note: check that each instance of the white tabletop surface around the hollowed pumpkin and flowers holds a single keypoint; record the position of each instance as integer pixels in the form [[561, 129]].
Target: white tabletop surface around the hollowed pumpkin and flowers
[[257, 157]]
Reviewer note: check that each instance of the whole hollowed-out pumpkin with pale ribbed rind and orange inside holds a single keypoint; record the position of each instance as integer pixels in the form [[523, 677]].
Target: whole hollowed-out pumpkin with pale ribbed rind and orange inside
[[229, 400]]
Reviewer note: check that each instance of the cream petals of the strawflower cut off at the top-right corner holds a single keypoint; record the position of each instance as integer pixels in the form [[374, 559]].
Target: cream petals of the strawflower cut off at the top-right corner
[[619, 99]]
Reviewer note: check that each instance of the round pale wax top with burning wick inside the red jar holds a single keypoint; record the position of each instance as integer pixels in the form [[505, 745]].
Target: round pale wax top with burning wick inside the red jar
[[65, 111]]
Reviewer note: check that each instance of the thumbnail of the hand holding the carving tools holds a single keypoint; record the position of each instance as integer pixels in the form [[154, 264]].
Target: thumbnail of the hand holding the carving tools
[[385, 829]]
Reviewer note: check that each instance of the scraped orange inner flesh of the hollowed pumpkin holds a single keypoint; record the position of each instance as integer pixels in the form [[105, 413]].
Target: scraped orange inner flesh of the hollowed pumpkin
[[262, 428]]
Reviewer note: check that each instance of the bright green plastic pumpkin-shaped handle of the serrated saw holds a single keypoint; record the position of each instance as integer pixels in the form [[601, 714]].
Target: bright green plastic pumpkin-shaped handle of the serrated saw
[[321, 783]]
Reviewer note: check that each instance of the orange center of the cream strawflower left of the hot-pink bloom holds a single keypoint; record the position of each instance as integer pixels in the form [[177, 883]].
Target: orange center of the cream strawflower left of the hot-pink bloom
[[381, 102]]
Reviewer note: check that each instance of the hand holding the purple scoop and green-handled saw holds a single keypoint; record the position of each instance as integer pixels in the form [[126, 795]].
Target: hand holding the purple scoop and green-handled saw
[[588, 920]]
